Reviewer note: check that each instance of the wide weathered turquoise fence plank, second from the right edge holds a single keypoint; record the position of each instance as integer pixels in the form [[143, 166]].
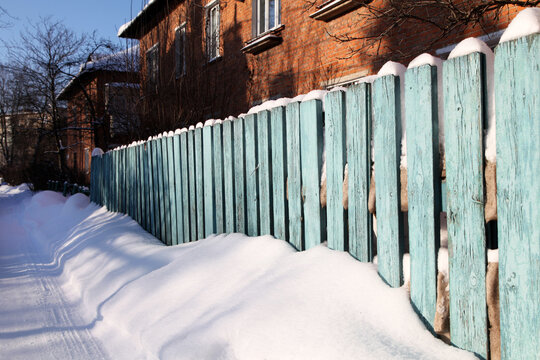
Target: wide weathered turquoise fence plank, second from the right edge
[[464, 117]]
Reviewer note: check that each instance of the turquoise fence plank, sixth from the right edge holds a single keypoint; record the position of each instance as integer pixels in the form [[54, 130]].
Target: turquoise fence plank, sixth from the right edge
[[335, 166]]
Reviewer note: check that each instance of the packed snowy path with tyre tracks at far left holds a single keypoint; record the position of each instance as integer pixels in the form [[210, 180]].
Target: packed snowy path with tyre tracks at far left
[[36, 319]]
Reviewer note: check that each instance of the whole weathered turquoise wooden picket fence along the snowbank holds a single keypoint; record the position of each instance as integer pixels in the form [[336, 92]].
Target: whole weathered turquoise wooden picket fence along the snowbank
[[260, 174]]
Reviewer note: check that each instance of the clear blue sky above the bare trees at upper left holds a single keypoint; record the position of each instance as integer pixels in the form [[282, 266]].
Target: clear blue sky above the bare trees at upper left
[[104, 16]]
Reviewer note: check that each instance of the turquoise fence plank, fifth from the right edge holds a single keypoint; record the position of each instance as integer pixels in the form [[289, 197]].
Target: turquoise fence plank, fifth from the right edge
[[358, 100]]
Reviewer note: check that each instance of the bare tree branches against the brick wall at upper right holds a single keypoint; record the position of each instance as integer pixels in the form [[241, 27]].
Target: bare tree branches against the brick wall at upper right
[[382, 20]]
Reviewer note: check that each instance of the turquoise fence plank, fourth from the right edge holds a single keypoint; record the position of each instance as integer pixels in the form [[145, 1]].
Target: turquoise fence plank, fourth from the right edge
[[387, 145]]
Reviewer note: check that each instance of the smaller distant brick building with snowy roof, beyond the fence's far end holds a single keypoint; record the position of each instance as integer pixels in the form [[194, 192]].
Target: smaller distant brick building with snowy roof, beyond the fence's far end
[[102, 108]]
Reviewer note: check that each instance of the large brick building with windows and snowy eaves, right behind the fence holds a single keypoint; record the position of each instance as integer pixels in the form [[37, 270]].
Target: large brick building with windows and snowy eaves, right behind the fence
[[214, 58]]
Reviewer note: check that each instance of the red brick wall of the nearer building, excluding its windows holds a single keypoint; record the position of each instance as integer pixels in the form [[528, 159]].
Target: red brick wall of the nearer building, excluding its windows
[[307, 58]]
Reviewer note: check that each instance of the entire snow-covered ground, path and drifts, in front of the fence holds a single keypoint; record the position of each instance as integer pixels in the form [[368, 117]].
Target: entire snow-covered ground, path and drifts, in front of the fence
[[79, 282]]
